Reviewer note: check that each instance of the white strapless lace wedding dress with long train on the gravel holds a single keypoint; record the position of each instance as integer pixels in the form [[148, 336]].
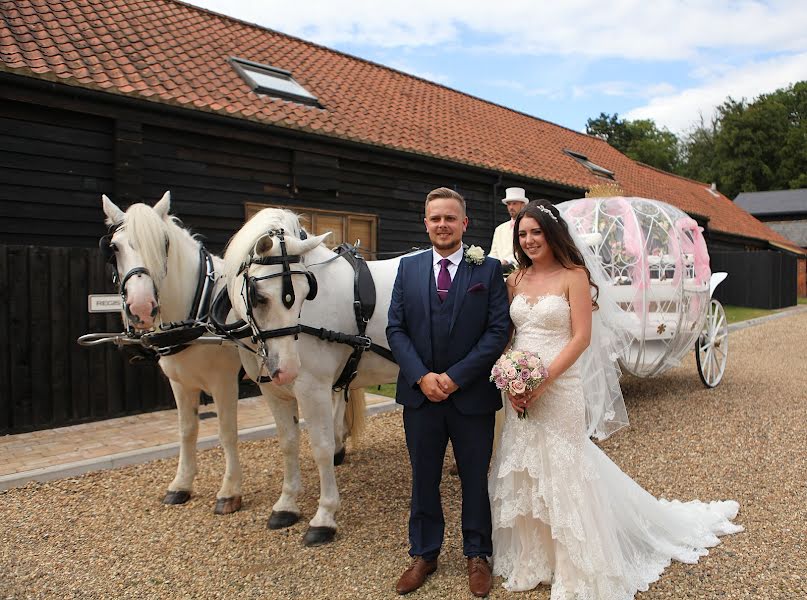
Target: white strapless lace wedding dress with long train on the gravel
[[563, 512]]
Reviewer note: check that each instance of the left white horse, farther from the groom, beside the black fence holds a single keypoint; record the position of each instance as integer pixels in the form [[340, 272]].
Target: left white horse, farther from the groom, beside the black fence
[[164, 260]]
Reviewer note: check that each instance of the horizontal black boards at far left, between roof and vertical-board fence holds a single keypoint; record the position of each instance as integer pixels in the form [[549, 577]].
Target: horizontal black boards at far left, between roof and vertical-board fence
[[54, 165]]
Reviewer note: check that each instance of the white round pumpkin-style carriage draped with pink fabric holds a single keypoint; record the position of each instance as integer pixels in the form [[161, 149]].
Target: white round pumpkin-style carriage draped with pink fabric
[[657, 267]]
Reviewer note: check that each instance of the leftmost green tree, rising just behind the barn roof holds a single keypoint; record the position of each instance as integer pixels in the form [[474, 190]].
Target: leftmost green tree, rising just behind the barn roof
[[640, 140]]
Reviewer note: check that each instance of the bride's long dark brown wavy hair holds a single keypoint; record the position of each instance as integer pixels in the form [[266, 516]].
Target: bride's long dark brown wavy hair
[[556, 233]]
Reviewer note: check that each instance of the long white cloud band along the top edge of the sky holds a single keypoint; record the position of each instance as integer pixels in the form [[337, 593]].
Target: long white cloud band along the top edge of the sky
[[630, 29]]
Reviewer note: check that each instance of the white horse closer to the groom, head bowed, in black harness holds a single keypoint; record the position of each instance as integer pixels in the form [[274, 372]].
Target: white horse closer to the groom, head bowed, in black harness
[[303, 367]]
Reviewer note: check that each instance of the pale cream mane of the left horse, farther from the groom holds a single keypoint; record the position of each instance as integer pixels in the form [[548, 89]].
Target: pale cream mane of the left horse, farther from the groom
[[149, 233]]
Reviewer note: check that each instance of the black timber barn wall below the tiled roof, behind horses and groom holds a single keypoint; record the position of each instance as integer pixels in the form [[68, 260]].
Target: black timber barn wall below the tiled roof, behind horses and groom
[[62, 147]]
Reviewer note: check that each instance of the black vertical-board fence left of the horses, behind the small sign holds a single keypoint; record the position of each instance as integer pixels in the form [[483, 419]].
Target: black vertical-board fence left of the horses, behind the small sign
[[46, 378]]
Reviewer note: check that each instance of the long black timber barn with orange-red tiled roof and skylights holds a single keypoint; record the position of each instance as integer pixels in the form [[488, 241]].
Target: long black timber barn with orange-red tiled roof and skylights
[[131, 98]]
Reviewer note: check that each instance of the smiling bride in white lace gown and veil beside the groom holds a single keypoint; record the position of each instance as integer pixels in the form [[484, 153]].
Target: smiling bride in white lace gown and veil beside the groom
[[563, 513]]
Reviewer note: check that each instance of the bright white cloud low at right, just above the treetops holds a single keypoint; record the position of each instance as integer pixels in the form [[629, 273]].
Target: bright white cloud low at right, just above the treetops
[[679, 110]]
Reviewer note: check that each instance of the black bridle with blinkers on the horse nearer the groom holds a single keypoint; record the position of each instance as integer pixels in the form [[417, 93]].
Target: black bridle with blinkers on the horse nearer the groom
[[249, 289]]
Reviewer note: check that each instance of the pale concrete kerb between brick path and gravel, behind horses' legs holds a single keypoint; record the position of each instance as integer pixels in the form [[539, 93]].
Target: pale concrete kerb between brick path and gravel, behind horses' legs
[[142, 455]]
